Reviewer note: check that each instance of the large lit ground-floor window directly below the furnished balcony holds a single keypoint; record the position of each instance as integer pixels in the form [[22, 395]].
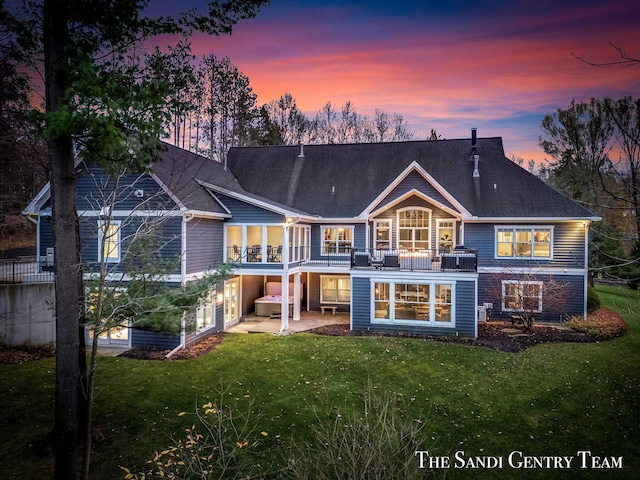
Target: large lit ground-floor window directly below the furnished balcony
[[413, 303]]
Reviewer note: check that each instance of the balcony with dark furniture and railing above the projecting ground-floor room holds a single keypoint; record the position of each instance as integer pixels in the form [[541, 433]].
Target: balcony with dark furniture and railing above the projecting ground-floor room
[[461, 259]]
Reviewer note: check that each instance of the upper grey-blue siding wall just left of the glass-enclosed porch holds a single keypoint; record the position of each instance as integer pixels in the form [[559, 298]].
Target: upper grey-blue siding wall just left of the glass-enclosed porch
[[204, 244]]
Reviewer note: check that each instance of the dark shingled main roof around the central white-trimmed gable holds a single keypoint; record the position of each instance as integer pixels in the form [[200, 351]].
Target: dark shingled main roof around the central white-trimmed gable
[[341, 180]]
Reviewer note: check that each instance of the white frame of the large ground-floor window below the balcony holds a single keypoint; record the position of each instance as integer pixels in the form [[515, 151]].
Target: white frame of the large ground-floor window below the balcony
[[432, 321]]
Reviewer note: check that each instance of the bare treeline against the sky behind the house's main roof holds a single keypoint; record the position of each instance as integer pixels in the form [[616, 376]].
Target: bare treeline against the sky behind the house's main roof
[[213, 108]]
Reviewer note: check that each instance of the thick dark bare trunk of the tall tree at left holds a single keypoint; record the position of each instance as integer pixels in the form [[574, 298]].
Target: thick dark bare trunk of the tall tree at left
[[66, 258]]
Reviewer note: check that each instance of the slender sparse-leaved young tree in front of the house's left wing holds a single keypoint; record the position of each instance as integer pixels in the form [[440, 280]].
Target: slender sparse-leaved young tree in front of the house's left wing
[[133, 293]]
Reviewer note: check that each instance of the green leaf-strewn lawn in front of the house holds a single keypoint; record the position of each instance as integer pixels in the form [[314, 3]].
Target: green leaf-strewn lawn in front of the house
[[549, 400]]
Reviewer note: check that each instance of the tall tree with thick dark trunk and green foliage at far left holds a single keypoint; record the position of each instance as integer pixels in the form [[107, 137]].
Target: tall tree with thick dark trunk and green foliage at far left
[[85, 44]]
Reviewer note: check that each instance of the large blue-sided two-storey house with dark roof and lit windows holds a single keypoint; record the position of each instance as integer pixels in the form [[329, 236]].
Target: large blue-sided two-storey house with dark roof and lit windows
[[413, 237]]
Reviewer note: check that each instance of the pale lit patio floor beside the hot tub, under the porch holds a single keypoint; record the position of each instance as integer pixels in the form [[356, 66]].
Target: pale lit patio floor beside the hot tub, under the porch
[[308, 320]]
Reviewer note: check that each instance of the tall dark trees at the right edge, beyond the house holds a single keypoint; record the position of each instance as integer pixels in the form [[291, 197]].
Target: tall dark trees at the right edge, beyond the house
[[582, 140]]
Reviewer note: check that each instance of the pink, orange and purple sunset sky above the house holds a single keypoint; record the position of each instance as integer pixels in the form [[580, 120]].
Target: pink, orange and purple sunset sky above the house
[[497, 65]]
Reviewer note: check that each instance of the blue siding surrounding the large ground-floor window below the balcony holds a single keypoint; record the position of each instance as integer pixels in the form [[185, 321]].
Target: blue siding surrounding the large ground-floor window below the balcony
[[465, 311]]
